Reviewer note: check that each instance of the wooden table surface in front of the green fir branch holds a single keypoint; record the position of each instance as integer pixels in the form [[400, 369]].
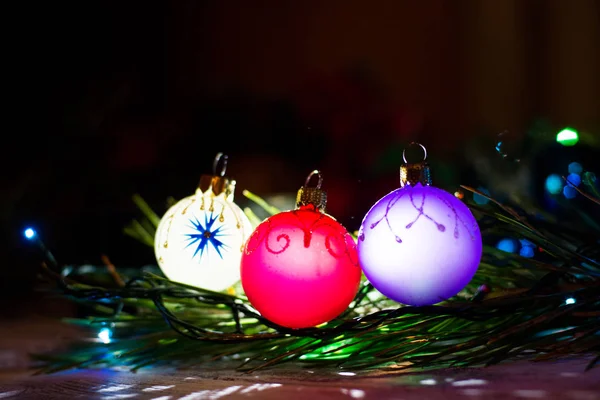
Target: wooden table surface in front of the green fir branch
[[563, 379]]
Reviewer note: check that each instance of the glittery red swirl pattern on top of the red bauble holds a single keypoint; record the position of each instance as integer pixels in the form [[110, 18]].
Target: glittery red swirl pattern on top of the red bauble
[[322, 222]]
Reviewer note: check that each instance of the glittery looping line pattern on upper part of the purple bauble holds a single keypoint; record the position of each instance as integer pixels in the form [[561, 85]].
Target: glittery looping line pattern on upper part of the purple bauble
[[419, 206]]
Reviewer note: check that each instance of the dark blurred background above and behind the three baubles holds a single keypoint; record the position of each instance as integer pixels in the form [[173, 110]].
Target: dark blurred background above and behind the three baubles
[[112, 98]]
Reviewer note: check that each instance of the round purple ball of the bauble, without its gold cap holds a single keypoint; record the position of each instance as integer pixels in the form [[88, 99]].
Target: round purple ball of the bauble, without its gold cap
[[419, 245]]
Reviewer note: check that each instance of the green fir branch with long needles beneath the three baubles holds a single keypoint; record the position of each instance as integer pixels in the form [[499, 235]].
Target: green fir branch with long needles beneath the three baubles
[[159, 322]]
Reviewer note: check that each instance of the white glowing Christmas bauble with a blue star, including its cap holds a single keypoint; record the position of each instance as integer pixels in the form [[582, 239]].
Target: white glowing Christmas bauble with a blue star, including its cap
[[199, 240]]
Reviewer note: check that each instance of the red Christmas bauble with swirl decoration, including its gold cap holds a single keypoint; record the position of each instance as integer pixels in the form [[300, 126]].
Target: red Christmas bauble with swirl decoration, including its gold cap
[[299, 268]]
